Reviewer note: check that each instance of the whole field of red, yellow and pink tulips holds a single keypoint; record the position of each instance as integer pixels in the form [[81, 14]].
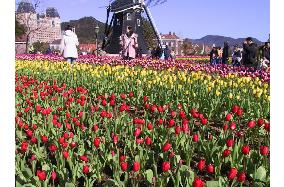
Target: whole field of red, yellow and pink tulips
[[107, 122]]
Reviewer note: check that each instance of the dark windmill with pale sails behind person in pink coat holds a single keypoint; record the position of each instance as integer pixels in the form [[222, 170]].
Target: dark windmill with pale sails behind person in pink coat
[[127, 13]]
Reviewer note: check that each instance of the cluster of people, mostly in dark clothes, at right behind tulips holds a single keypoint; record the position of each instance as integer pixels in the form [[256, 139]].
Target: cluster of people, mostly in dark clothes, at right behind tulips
[[249, 54]]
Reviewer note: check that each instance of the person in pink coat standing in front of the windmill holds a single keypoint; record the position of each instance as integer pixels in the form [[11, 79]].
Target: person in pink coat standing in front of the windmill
[[129, 45]]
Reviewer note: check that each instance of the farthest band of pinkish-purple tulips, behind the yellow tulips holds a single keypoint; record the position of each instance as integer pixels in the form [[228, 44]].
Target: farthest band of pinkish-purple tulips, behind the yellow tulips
[[185, 65]]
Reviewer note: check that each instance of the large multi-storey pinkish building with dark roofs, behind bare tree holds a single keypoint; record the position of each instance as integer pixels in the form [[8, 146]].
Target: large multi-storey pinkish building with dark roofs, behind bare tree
[[44, 27]]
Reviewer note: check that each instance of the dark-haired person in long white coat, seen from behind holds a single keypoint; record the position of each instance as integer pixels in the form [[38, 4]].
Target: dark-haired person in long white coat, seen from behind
[[69, 43]]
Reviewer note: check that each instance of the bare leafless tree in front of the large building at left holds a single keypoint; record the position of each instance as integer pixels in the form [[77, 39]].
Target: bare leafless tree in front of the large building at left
[[29, 20]]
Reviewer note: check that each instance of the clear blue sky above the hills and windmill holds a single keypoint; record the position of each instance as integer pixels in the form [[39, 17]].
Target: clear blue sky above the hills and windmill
[[187, 18]]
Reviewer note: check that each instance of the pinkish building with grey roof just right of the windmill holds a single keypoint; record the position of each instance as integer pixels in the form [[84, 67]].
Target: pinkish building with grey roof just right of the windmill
[[173, 42]]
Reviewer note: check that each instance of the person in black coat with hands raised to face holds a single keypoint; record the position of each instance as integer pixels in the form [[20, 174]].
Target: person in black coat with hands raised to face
[[249, 52]]
